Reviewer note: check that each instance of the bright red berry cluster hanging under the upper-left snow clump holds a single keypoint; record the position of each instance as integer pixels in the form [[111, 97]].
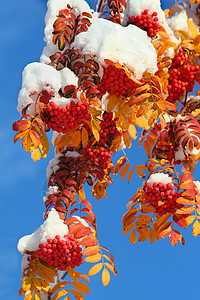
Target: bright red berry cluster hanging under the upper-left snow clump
[[66, 119]]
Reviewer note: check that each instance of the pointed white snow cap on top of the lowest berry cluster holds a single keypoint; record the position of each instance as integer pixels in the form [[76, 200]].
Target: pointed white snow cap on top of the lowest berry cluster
[[49, 229]]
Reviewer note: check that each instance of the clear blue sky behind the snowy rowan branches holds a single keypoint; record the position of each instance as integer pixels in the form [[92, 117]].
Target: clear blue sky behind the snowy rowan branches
[[145, 272]]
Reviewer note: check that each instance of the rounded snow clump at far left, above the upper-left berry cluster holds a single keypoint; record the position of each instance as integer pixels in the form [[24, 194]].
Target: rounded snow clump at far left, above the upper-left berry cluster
[[36, 77]]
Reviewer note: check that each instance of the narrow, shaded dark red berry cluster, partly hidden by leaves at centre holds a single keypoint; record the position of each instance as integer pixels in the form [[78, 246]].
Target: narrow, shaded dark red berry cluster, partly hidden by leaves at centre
[[108, 129]]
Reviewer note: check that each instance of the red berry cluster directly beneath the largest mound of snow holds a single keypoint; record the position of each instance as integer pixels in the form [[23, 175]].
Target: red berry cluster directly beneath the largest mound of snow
[[115, 82]]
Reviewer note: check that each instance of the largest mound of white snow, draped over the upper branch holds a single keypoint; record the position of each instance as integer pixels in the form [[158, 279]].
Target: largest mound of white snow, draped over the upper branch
[[128, 46]]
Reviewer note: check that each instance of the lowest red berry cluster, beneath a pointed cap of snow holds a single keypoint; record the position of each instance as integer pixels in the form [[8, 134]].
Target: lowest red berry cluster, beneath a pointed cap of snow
[[61, 253]]
